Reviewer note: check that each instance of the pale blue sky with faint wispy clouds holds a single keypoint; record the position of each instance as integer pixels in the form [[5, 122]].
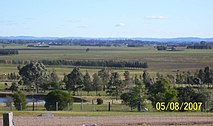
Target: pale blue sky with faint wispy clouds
[[107, 18]]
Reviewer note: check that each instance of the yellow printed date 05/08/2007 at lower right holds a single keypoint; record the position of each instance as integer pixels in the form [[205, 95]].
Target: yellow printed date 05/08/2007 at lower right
[[176, 106]]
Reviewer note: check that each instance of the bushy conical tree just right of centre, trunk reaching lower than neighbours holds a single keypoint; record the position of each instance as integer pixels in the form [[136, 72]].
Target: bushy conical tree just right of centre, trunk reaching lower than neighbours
[[115, 86]]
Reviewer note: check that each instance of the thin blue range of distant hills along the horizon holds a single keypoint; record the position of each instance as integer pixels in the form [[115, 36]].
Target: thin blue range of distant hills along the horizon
[[180, 39]]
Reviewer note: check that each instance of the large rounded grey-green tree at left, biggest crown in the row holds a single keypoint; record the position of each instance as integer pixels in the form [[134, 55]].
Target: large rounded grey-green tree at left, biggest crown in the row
[[34, 74]]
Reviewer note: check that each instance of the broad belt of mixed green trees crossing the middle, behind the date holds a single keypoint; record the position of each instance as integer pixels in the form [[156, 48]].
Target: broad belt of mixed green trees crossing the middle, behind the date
[[135, 91]]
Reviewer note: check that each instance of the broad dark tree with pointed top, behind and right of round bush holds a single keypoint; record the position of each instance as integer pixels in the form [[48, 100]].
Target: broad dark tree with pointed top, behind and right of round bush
[[74, 80]]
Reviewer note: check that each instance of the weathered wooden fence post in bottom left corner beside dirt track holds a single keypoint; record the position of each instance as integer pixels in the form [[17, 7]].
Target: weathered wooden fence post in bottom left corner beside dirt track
[[8, 119]]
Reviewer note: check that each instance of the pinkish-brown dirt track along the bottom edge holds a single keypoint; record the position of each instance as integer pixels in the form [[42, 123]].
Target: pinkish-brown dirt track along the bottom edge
[[109, 120]]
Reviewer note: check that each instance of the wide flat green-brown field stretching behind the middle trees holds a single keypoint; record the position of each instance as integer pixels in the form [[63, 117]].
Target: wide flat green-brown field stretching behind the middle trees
[[158, 61]]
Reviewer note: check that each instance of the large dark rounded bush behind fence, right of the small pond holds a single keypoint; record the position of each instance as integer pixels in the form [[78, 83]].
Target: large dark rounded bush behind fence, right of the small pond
[[61, 97]]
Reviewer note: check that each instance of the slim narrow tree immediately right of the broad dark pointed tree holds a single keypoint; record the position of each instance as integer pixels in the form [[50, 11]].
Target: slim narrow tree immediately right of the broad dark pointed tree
[[87, 83]]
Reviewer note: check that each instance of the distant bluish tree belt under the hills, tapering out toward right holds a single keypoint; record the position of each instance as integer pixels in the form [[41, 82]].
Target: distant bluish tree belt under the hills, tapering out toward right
[[81, 42]]
